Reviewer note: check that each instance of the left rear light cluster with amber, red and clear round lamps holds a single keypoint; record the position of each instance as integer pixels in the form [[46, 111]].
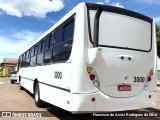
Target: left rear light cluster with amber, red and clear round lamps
[[93, 77]]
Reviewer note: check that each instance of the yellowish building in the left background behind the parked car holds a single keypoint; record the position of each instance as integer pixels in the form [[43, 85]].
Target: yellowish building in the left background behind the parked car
[[8, 65]]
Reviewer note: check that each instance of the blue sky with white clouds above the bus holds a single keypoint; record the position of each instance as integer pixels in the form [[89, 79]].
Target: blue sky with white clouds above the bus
[[23, 21]]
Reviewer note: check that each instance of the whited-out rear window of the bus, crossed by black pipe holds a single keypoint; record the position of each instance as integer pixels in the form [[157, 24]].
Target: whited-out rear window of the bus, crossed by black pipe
[[122, 31]]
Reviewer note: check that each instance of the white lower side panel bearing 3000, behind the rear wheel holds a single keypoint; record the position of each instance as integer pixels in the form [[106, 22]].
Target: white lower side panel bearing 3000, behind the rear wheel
[[55, 85]]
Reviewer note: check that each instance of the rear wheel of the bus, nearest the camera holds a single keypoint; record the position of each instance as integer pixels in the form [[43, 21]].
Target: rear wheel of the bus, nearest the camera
[[38, 101]]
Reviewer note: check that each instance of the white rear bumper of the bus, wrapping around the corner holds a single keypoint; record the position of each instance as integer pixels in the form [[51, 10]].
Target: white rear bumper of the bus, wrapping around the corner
[[82, 103]]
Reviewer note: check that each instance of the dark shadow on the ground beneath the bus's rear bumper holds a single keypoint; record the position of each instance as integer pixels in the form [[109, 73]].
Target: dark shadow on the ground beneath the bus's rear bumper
[[65, 115]]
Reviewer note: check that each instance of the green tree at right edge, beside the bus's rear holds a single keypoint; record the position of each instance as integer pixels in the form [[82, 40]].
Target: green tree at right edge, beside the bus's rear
[[158, 39]]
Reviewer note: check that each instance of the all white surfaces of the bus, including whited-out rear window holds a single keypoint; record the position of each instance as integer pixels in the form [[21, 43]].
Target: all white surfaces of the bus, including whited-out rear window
[[110, 69]]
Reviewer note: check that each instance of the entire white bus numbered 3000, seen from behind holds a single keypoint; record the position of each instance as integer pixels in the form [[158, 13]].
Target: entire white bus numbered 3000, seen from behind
[[96, 58]]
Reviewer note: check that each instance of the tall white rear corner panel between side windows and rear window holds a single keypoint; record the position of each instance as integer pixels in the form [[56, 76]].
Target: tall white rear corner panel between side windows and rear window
[[80, 78]]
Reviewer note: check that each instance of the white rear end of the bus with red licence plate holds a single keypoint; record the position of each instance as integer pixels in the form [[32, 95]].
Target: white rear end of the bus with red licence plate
[[124, 63]]
